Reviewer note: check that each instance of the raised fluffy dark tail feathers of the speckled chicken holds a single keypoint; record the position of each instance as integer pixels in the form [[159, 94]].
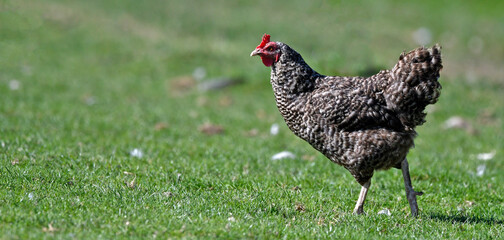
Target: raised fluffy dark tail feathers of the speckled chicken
[[415, 84]]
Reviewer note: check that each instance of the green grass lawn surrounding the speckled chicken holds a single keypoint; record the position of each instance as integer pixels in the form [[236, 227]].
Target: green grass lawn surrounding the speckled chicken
[[96, 77]]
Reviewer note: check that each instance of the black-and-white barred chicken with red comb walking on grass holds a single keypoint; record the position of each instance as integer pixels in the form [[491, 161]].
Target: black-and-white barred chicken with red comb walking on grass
[[362, 124]]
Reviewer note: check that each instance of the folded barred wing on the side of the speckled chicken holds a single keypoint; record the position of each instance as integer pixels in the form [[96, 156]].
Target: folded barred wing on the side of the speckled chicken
[[351, 104]]
